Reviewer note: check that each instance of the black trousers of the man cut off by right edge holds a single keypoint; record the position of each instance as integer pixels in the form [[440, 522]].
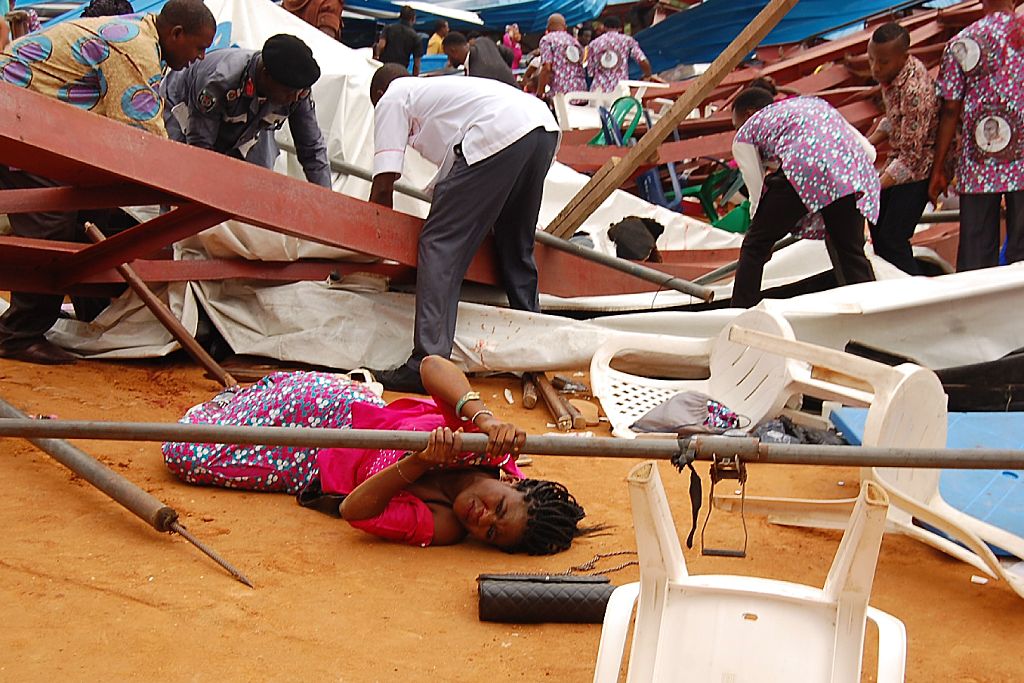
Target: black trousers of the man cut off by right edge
[[979, 240]]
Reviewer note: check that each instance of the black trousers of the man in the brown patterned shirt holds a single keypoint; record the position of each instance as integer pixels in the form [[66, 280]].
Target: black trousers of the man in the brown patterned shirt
[[900, 215]]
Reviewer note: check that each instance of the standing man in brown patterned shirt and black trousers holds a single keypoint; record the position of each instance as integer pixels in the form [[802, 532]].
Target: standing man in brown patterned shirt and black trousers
[[910, 125]]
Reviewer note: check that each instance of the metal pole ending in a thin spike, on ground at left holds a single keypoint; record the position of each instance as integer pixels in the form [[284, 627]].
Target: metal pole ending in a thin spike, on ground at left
[[141, 503]]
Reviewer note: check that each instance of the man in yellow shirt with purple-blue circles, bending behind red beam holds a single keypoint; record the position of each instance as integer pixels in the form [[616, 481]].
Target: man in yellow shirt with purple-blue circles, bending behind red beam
[[111, 67]]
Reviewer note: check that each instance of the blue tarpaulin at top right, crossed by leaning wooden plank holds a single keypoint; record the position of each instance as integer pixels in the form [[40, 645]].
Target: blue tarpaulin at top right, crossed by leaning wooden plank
[[700, 35]]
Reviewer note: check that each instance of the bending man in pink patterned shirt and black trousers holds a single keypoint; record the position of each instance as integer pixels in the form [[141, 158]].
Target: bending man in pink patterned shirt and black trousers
[[825, 188]]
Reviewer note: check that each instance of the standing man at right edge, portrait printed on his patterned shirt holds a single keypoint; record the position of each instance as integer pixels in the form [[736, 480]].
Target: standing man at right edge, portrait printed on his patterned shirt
[[980, 88]]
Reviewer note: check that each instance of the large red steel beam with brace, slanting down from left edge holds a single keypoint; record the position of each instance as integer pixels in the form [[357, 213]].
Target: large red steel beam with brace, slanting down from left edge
[[50, 139]]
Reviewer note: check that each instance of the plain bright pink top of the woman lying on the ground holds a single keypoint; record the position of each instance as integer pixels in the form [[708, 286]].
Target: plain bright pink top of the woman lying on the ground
[[407, 519]]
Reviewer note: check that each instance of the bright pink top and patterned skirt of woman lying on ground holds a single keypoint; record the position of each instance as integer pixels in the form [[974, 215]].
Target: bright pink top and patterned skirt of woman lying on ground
[[319, 401]]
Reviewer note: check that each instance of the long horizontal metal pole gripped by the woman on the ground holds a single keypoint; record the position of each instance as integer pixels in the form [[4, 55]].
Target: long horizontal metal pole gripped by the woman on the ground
[[704, 447]]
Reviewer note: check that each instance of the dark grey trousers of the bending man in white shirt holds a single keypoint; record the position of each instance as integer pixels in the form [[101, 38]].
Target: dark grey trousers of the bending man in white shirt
[[501, 194]]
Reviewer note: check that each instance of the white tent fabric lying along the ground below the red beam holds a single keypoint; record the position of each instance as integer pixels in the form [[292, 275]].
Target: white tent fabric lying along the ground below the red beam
[[941, 322]]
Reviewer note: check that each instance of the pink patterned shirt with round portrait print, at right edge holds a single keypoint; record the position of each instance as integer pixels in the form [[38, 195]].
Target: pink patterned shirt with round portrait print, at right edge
[[984, 67]]
